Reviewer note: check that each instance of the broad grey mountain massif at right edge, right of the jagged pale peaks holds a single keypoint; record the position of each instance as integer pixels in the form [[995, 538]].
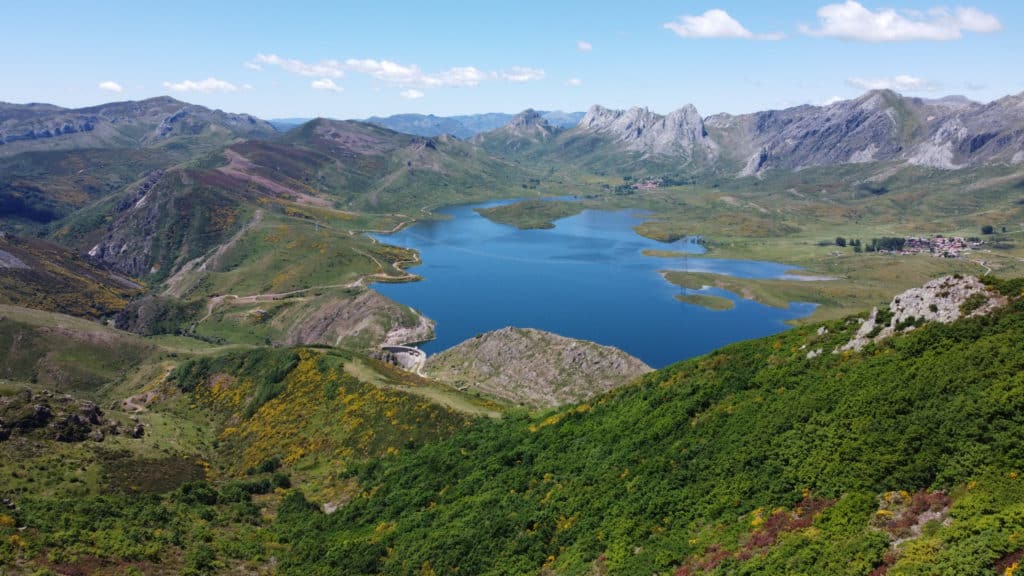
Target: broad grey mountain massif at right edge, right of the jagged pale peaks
[[880, 127]]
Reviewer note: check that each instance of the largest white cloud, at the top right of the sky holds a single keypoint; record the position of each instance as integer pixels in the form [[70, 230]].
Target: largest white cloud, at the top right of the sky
[[851, 21]]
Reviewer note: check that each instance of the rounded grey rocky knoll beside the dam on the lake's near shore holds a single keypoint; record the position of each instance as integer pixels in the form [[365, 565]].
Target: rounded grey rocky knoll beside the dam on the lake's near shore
[[534, 368]]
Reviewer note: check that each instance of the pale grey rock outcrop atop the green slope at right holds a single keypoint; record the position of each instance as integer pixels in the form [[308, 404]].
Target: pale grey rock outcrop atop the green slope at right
[[945, 300]]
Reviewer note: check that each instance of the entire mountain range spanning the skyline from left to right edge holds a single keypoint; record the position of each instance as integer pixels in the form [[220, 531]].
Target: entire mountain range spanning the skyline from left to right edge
[[147, 188]]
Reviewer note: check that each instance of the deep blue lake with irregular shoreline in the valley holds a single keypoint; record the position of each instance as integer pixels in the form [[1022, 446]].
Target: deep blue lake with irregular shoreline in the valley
[[585, 279]]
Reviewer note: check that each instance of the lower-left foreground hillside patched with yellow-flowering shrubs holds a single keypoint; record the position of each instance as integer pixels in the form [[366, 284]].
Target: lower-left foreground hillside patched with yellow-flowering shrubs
[[224, 437]]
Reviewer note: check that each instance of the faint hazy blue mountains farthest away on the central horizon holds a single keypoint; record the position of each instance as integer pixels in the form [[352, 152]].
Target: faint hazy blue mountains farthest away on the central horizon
[[465, 127]]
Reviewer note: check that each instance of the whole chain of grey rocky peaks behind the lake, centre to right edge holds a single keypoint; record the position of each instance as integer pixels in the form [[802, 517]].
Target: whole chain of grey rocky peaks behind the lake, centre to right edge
[[881, 127]]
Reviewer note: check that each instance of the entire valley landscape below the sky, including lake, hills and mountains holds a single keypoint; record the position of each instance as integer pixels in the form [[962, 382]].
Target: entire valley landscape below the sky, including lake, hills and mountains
[[194, 310]]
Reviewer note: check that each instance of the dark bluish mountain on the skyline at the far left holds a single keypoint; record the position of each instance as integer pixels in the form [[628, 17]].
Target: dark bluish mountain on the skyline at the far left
[[56, 160]]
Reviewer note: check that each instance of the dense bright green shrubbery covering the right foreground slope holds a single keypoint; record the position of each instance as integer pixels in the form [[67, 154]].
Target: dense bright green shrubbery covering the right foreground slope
[[674, 473]]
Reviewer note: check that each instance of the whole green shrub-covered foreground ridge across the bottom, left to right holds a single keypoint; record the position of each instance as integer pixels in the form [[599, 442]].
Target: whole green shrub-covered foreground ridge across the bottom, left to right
[[901, 460]]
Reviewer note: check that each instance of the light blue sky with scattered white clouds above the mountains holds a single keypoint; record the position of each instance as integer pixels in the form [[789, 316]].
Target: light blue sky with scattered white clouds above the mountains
[[358, 59]]
